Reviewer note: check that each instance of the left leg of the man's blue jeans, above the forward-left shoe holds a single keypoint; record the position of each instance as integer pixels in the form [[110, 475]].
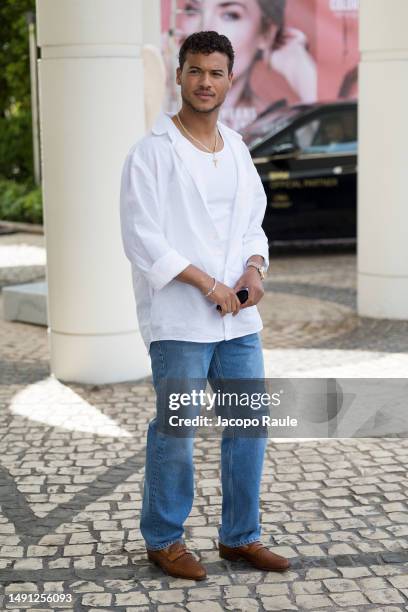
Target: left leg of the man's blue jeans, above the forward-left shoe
[[168, 491]]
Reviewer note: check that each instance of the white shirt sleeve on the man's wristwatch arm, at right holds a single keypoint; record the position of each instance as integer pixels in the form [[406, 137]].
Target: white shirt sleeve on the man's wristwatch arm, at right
[[255, 241]]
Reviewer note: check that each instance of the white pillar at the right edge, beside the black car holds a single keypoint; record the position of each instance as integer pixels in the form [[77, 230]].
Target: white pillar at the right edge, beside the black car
[[383, 161]]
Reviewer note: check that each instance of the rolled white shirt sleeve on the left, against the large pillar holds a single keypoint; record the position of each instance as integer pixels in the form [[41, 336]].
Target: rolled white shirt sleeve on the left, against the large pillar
[[144, 242]]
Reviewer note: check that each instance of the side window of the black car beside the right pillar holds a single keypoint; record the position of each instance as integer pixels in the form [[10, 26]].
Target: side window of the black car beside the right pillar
[[328, 133]]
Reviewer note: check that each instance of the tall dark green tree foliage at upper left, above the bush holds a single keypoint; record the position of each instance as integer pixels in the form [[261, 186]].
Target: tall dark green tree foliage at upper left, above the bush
[[15, 103]]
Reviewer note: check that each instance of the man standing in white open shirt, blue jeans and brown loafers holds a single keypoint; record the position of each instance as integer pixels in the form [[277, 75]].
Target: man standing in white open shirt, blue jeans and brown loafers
[[192, 206]]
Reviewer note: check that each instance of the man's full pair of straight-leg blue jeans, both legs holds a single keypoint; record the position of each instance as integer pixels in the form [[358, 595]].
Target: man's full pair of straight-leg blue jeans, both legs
[[168, 492]]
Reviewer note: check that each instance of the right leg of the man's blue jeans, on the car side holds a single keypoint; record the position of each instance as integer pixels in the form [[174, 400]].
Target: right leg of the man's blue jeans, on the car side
[[241, 457]]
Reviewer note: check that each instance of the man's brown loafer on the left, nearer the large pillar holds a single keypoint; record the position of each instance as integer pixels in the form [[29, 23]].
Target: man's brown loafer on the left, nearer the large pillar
[[177, 561]]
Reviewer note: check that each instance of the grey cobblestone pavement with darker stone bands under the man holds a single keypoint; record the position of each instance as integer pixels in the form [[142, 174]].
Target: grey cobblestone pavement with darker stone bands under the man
[[72, 462]]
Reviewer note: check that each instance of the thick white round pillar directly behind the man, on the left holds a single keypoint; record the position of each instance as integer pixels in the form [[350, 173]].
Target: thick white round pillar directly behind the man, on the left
[[91, 112]]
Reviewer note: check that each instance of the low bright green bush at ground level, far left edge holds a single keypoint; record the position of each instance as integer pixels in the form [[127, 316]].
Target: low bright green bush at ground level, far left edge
[[20, 202]]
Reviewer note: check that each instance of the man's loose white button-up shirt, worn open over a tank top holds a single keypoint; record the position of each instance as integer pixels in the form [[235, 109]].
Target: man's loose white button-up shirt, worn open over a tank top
[[166, 226]]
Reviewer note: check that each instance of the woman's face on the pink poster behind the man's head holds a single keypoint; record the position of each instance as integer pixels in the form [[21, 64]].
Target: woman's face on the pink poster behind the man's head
[[241, 22]]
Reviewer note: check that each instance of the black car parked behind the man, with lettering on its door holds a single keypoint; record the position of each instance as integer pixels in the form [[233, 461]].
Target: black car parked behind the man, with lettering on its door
[[306, 156]]
